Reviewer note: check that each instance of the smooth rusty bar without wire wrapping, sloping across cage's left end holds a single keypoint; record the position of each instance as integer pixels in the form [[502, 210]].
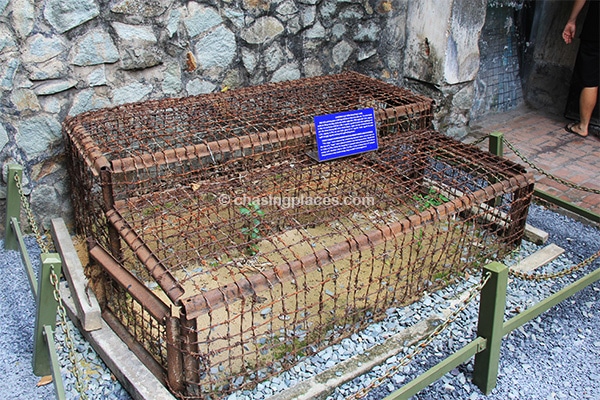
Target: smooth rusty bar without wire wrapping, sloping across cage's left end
[[138, 291]]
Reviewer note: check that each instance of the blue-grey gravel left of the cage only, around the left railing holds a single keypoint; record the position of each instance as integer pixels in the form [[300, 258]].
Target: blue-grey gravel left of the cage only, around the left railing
[[17, 319]]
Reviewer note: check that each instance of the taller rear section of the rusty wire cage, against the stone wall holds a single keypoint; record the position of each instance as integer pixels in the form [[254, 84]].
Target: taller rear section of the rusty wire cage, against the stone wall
[[165, 137]]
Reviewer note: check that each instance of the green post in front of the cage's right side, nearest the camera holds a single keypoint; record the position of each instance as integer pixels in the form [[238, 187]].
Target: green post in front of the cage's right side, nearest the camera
[[490, 326]]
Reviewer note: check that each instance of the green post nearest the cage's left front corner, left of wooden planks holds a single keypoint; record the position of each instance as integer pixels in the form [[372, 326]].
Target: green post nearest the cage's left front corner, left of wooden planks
[[47, 306]]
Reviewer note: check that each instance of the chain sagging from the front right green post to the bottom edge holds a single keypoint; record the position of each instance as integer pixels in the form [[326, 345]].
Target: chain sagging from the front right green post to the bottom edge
[[418, 348]]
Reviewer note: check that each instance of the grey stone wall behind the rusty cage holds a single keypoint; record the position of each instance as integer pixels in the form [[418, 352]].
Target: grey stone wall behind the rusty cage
[[63, 57]]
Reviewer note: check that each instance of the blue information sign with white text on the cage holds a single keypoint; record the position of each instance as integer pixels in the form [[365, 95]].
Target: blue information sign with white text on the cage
[[346, 133]]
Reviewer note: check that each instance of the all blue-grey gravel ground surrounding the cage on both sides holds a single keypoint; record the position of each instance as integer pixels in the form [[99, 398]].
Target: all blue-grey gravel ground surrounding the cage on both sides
[[555, 356]]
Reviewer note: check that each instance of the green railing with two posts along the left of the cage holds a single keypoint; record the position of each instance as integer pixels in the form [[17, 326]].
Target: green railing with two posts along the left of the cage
[[45, 359]]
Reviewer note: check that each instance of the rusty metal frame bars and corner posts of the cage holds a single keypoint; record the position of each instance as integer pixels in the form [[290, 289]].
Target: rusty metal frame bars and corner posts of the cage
[[179, 326]]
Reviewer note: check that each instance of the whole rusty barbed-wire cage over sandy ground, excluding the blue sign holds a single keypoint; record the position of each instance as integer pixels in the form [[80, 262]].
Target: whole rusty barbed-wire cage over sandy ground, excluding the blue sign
[[221, 235]]
